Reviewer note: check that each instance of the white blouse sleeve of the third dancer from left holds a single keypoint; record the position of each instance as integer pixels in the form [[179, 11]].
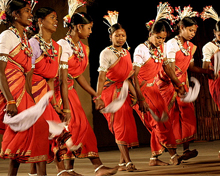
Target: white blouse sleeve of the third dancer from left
[[66, 50]]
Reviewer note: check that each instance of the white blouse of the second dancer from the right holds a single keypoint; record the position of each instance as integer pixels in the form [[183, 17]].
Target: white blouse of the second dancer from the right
[[172, 49]]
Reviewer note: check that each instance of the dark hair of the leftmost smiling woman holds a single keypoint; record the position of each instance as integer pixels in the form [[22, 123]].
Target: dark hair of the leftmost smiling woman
[[14, 5]]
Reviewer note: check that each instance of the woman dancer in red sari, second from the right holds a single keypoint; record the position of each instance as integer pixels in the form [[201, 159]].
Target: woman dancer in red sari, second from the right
[[180, 53]]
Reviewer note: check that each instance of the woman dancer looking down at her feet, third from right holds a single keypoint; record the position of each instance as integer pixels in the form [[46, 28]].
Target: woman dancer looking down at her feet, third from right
[[149, 59]]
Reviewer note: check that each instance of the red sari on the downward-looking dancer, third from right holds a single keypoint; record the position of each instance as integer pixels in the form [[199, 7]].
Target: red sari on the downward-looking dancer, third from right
[[161, 133]]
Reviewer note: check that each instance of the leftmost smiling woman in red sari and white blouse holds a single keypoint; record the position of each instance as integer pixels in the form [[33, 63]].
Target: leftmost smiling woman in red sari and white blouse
[[15, 63]]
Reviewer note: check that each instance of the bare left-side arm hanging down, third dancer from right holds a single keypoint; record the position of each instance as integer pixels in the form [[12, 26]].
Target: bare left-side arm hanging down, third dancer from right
[[143, 106]]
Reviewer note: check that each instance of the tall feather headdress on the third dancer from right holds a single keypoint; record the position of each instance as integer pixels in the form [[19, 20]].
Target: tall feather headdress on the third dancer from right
[[164, 11]]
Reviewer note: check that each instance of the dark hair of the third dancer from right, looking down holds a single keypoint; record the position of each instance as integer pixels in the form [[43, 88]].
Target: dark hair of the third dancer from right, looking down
[[160, 26]]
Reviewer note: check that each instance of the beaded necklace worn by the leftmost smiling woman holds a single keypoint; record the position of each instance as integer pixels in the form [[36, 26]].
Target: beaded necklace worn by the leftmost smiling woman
[[24, 42]]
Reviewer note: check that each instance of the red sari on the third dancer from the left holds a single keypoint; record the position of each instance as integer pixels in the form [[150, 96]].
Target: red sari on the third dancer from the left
[[79, 125]]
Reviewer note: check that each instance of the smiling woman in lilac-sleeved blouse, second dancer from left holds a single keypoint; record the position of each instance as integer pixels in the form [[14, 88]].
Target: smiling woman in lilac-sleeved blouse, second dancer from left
[[45, 61]]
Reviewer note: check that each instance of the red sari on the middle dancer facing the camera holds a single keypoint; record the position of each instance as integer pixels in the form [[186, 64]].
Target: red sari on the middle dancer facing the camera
[[121, 123]]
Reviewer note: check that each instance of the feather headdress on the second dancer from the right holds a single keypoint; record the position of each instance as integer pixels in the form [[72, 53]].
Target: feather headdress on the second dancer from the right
[[186, 12]]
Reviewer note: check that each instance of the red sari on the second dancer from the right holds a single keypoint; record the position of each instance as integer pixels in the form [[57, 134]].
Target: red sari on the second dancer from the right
[[181, 114]]
